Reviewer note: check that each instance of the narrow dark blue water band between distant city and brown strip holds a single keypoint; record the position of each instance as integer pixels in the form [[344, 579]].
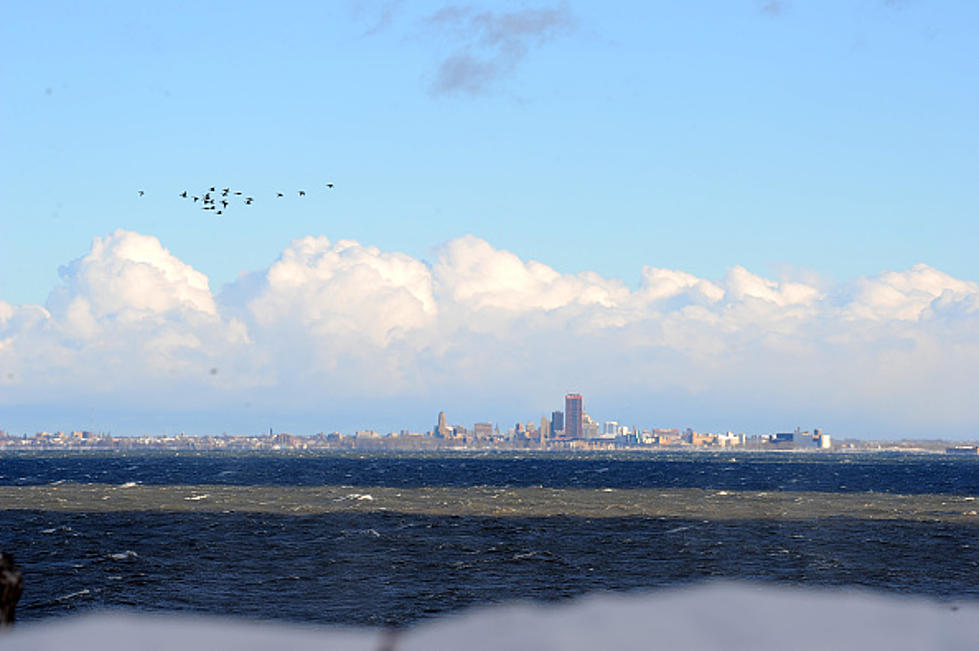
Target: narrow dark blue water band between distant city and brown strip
[[884, 473]]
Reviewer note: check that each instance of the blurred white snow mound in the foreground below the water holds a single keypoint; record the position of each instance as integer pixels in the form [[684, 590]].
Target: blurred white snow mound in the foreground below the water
[[717, 616]]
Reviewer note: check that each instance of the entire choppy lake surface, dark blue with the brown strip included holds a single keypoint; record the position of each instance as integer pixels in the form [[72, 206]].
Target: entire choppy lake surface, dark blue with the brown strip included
[[390, 539]]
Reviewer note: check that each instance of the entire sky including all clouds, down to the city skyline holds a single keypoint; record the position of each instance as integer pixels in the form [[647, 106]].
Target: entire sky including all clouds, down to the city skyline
[[741, 215]]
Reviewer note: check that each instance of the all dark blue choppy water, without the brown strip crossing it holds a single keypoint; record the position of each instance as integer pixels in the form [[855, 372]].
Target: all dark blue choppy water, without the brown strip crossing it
[[391, 568]]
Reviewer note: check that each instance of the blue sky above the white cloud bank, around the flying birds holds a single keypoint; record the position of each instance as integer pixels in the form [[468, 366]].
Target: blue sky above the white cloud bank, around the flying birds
[[819, 142]]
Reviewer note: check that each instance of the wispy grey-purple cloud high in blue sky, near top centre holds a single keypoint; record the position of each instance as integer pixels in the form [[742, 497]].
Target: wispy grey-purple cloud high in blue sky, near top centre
[[488, 45]]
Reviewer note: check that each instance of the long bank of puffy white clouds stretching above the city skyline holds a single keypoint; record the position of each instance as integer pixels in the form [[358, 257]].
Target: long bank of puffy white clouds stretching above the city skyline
[[334, 323]]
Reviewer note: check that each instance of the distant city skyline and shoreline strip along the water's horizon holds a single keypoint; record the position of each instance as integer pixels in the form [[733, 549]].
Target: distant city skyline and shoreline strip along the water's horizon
[[569, 430]]
